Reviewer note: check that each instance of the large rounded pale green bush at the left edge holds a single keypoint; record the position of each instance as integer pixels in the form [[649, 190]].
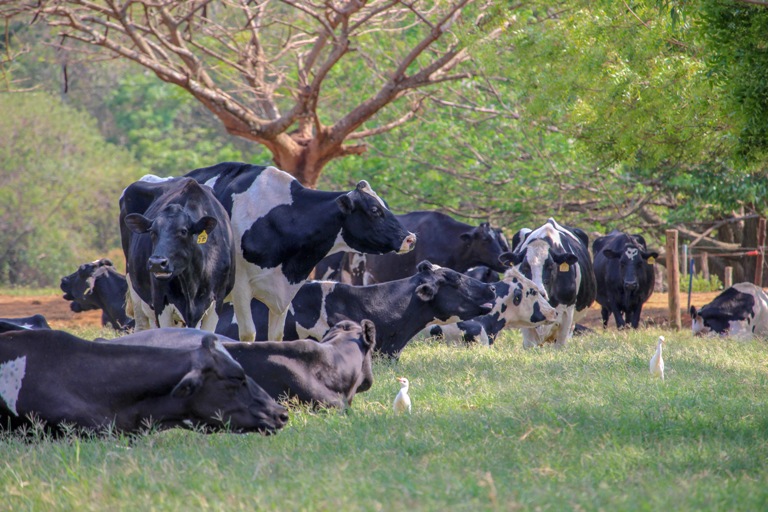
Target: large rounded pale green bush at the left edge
[[59, 189]]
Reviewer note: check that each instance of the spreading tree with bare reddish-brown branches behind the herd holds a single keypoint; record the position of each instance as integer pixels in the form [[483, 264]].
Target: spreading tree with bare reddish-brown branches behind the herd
[[279, 73]]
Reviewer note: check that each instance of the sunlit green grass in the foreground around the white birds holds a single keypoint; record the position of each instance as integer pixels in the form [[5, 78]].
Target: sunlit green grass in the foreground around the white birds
[[492, 429]]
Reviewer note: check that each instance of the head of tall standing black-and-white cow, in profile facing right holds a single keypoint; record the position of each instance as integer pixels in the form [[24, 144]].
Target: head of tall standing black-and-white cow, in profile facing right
[[368, 225]]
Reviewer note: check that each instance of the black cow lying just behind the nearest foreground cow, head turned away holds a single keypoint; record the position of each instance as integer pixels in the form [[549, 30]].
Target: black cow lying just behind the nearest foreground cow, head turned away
[[327, 373]]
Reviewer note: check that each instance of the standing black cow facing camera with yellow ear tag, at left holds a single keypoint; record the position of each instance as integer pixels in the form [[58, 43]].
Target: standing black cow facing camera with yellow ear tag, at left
[[179, 252]]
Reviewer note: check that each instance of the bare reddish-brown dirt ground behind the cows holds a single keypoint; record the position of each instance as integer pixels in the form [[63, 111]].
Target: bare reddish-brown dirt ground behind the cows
[[56, 310]]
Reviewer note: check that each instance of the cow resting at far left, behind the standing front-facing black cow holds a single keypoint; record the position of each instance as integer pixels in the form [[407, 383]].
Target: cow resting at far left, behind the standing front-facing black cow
[[98, 285]]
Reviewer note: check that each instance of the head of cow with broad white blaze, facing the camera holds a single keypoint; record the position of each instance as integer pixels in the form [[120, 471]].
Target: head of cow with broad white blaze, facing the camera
[[551, 268]]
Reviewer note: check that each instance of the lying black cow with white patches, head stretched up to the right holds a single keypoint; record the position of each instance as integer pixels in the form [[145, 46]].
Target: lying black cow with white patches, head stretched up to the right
[[399, 309]]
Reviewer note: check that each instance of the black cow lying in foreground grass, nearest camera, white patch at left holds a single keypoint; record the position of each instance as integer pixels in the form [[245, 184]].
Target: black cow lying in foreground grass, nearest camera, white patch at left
[[59, 378]]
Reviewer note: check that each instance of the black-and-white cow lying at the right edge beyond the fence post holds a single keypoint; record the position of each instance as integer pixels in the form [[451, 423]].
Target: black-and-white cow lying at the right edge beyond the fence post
[[740, 311]]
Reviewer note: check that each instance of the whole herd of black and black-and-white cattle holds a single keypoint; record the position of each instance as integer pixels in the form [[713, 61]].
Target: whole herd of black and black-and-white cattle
[[225, 253]]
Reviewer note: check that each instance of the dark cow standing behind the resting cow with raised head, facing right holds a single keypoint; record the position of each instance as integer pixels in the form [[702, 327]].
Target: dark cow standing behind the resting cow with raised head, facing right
[[442, 240]]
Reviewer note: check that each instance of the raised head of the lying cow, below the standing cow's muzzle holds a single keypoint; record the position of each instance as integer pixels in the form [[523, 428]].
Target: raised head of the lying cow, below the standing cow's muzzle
[[454, 296]]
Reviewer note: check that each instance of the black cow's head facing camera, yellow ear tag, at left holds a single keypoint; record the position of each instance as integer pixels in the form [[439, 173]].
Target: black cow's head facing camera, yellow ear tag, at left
[[176, 238]]
